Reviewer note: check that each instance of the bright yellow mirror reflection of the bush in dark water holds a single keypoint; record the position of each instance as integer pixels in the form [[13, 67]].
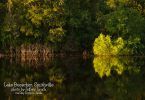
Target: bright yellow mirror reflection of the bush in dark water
[[104, 65]]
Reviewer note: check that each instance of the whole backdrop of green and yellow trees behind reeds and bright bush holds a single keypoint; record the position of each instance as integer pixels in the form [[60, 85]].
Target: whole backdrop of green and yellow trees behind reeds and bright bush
[[72, 25]]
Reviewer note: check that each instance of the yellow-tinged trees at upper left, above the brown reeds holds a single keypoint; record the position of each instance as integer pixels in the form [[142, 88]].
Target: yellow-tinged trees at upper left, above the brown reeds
[[31, 21]]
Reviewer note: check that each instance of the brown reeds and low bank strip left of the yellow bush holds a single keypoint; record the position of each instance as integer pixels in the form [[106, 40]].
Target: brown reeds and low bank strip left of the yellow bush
[[39, 50]]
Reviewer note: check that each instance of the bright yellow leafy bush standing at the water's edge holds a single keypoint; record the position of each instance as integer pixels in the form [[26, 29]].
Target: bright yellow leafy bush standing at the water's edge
[[104, 46]]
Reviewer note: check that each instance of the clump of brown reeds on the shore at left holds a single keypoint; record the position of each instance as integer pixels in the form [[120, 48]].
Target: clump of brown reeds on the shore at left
[[31, 51]]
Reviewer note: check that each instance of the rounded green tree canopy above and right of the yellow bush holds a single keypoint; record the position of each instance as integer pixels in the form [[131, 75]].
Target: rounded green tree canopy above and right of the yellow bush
[[125, 22]]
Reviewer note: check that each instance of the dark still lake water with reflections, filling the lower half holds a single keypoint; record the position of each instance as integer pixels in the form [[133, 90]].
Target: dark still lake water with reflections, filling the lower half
[[73, 78]]
